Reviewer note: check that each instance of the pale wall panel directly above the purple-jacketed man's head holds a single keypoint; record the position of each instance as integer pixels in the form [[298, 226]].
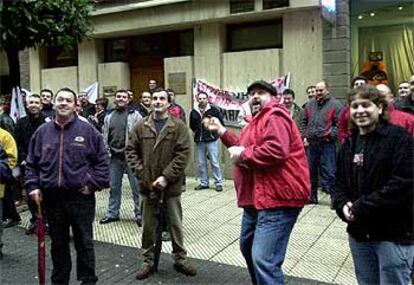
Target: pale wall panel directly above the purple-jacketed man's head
[[57, 78]]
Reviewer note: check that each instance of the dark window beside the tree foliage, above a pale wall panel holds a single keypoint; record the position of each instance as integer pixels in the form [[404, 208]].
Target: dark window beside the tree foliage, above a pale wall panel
[[59, 57]]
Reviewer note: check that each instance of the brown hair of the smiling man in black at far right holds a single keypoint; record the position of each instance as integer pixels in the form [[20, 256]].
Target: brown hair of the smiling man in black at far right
[[372, 94]]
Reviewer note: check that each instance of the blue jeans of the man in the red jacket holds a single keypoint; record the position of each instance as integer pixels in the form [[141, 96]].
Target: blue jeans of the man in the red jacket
[[264, 239]]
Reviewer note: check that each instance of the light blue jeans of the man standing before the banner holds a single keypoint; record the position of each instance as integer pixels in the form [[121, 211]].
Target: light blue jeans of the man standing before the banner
[[213, 153]]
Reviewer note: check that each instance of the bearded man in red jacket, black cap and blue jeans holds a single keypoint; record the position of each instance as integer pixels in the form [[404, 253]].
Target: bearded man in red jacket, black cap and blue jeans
[[271, 178]]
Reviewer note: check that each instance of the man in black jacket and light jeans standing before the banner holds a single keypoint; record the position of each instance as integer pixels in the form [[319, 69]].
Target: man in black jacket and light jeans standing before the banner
[[206, 142]]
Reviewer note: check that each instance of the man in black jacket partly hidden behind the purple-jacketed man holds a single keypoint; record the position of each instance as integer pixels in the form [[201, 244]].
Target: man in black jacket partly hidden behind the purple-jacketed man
[[25, 128]]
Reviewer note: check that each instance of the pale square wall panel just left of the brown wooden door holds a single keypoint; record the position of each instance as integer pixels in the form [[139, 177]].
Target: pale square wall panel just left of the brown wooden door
[[113, 74]]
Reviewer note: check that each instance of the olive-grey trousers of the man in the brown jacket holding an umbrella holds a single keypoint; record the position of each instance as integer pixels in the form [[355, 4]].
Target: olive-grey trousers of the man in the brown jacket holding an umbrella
[[174, 216]]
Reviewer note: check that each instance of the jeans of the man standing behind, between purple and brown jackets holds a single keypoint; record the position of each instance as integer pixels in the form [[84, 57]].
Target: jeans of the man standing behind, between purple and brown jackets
[[118, 165]]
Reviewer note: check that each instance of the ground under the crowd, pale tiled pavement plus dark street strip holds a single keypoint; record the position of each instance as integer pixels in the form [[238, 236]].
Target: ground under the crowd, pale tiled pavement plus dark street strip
[[318, 250]]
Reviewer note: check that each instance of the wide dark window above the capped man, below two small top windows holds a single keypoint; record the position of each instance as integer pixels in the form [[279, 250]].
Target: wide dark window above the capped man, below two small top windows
[[259, 35]]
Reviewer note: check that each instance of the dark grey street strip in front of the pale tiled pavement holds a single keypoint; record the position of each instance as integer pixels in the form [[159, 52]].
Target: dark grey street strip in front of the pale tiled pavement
[[115, 265]]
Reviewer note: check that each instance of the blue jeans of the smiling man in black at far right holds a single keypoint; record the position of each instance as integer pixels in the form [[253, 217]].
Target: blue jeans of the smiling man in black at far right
[[382, 262]]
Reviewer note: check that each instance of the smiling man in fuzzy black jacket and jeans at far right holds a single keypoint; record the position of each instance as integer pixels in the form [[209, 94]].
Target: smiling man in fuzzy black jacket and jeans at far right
[[373, 191]]
